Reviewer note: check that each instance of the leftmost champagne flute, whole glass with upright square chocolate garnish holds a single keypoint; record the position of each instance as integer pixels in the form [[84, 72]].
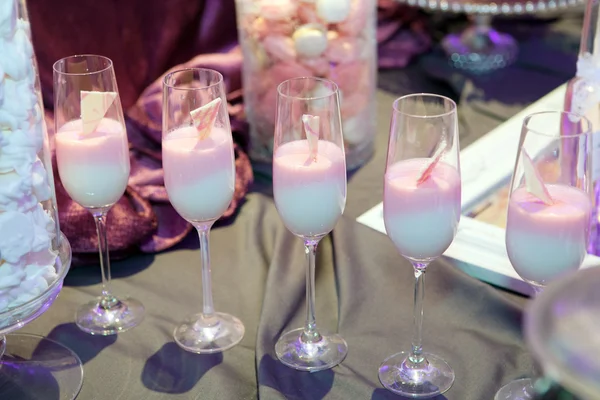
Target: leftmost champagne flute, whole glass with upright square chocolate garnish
[[92, 154]]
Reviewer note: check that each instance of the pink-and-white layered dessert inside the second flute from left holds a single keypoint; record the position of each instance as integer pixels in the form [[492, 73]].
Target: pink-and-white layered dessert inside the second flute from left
[[199, 174]]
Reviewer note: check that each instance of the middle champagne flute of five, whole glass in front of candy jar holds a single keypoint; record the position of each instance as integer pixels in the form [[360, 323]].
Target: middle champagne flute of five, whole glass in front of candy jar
[[309, 186]]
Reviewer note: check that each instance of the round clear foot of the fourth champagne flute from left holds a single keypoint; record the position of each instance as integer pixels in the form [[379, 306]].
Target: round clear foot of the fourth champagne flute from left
[[435, 378]]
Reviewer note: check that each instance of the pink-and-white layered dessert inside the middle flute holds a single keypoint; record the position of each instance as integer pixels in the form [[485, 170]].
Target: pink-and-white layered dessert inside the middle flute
[[310, 194]]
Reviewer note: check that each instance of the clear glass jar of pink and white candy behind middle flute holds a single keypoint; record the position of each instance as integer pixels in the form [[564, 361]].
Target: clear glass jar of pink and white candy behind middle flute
[[333, 39]]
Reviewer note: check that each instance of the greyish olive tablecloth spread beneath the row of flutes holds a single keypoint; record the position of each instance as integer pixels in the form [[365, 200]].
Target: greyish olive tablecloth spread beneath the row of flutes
[[364, 289]]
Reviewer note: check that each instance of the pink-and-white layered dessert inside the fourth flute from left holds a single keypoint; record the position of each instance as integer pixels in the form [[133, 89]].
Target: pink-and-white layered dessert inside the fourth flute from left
[[421, 219]]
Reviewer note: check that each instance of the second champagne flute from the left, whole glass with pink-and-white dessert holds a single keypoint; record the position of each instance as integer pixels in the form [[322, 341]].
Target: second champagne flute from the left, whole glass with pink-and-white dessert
[[199, 168]]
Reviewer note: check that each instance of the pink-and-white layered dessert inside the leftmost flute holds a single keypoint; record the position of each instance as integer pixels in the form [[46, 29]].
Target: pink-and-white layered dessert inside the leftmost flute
[[94, 167]]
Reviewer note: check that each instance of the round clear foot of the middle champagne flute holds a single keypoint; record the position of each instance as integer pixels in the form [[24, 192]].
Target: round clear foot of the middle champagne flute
[[324, 354]]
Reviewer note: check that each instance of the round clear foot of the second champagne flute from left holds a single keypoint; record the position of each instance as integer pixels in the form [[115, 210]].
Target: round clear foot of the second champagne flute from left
[[206, 335]]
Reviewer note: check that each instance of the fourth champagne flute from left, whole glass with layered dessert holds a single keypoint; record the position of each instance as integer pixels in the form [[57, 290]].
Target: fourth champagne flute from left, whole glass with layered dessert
[[421, 206]]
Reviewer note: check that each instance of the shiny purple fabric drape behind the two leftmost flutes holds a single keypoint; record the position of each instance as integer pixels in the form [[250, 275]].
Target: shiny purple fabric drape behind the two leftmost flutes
[[145, 39]]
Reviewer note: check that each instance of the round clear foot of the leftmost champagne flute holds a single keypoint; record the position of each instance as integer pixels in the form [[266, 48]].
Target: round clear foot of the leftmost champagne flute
[[119, 316]]
